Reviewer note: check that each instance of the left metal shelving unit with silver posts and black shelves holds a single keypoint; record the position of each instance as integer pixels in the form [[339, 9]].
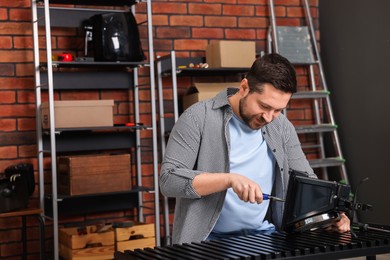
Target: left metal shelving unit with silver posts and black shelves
[[49, 78]]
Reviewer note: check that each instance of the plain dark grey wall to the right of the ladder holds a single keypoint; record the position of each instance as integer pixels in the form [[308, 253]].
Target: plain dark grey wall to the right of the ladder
[[355, 48]]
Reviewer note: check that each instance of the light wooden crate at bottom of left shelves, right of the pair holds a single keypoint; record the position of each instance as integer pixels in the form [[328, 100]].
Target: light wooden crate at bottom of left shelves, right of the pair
[[137, 236]]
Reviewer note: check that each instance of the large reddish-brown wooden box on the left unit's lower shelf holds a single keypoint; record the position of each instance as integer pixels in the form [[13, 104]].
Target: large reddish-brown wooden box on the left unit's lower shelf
[[91, 174]]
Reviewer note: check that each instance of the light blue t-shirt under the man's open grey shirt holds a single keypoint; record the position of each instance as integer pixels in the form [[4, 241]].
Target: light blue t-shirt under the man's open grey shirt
[[251, 157]]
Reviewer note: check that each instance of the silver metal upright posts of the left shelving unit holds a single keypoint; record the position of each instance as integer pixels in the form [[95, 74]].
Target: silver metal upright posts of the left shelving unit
[[53, 149]]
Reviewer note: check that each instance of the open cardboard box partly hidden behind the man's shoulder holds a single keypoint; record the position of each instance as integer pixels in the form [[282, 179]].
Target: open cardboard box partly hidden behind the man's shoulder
[[202, 91]]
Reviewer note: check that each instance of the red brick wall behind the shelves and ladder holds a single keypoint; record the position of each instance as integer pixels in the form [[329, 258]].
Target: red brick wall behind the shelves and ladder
[[184, 26]]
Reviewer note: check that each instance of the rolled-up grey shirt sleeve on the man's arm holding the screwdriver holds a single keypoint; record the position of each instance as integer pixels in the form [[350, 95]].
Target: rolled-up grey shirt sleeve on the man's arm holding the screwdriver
[[177, 168]]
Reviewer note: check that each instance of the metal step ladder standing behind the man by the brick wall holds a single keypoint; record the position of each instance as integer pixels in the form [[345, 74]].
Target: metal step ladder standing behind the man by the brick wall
[[319, 138]]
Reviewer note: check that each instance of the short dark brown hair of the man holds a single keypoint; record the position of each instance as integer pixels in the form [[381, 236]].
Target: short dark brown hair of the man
[[273, 69]]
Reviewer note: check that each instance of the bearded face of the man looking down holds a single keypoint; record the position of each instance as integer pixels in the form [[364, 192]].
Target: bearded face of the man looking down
[[259, 109]]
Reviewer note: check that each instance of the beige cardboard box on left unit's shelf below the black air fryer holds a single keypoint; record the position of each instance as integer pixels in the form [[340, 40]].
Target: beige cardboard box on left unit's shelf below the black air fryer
[[79, 113]]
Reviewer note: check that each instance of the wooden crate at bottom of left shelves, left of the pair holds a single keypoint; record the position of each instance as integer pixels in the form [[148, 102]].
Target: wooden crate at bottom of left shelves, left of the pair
[[88, 245]]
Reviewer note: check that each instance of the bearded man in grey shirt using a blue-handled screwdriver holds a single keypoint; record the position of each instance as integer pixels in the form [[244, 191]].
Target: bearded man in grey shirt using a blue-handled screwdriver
[[224, 153]]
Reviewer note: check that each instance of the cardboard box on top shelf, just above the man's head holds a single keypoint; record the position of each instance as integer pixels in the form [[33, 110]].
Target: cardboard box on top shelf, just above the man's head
[[231, 54]]
